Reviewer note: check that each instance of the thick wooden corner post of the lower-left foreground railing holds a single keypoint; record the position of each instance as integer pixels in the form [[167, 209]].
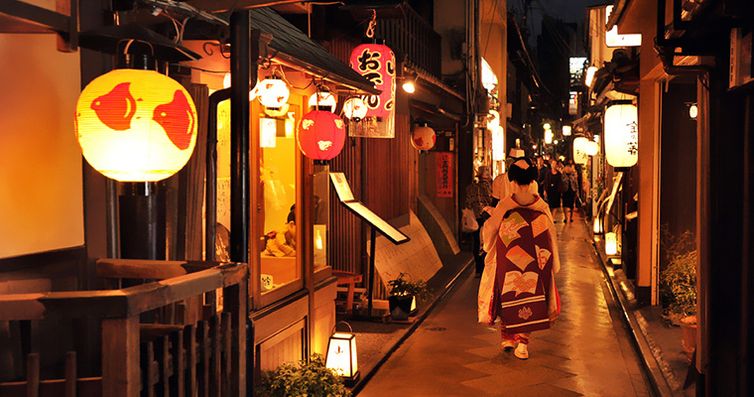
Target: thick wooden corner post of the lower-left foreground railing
[[120, 357]]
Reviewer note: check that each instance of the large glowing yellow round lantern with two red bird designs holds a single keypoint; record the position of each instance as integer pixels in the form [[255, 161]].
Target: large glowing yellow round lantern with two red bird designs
[[136, 125]]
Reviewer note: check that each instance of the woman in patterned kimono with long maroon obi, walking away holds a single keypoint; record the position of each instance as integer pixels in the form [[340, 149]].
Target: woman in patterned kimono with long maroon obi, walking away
[[518, 283]]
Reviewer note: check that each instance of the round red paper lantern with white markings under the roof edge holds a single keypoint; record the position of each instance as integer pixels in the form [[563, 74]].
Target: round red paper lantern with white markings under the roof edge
[[321, 135]]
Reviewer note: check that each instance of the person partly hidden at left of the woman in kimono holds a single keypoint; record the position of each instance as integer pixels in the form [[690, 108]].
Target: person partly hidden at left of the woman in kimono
[[479, 199]]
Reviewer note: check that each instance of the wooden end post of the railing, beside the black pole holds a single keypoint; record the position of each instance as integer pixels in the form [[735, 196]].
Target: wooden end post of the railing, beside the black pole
[[235, 302]]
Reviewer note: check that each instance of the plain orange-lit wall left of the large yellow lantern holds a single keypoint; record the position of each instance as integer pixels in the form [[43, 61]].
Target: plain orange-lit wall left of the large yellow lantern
[[41, 194]]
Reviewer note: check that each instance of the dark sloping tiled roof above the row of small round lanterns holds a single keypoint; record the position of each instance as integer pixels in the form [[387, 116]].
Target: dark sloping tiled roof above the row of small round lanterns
[[293, 43]]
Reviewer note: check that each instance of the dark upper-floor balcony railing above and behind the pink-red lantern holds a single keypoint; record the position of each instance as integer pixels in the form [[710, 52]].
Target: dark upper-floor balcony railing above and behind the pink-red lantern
[[414, 38]]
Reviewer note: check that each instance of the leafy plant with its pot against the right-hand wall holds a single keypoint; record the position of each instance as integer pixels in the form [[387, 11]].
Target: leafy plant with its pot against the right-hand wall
[[678, 286]]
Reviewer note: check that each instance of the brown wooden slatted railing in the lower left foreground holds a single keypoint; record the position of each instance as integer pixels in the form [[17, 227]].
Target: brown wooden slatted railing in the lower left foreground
[[157, 337]]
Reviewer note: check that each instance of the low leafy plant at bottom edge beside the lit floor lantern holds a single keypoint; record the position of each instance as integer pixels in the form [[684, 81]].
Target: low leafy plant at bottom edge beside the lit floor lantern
[[305, 379]]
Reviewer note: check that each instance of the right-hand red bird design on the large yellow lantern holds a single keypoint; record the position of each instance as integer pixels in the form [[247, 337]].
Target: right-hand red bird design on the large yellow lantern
[[176, 119]]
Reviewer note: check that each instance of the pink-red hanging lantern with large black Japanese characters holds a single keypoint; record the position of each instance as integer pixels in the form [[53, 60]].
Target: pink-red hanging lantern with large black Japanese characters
[[376, 62]]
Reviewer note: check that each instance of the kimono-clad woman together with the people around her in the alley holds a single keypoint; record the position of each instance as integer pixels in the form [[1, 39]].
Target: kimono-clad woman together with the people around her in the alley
[[515, 244]]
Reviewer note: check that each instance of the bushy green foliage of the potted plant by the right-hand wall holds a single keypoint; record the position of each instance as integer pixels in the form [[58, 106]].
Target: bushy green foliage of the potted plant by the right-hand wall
[[678, 284]]
